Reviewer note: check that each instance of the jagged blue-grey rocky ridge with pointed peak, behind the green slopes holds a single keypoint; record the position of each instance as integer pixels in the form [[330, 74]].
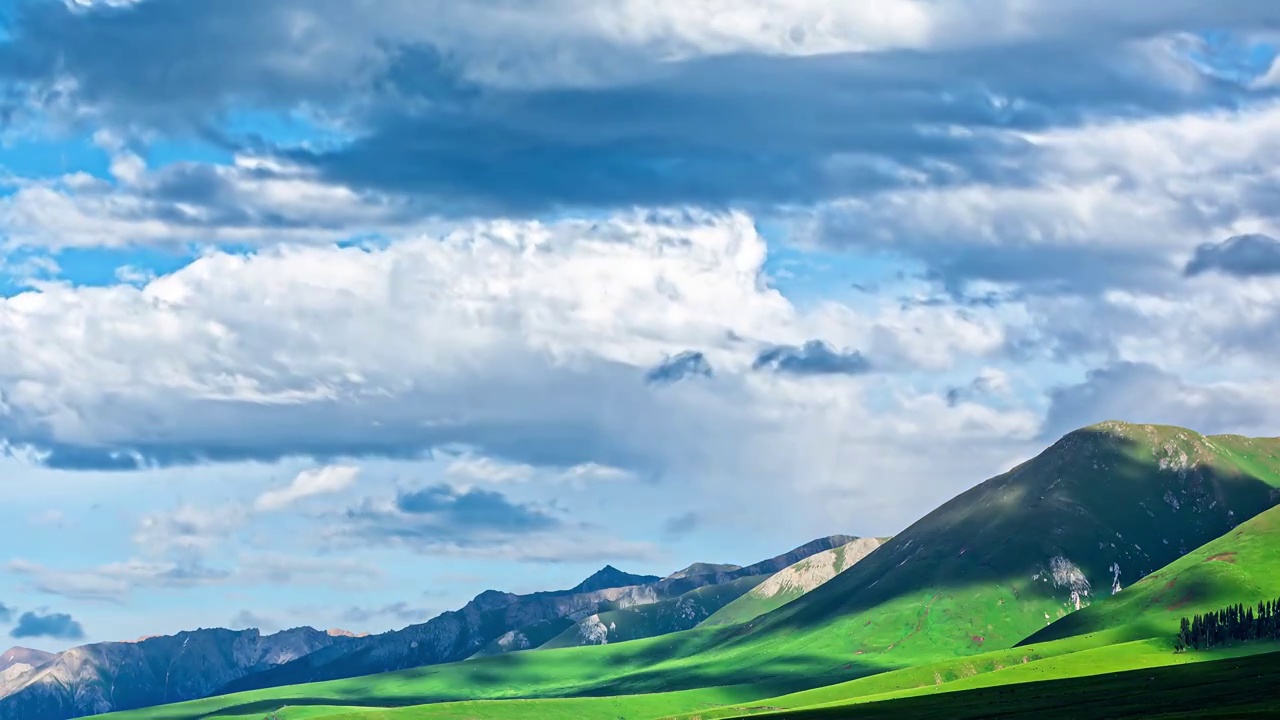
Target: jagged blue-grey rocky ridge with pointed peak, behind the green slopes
[[496, 623]]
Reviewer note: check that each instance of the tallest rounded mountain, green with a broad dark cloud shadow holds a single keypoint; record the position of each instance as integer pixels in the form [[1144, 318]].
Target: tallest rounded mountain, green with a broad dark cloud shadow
[[1104, 507]]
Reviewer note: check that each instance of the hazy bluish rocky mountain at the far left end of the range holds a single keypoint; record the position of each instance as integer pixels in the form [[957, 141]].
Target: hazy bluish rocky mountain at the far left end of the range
[[122, 676]]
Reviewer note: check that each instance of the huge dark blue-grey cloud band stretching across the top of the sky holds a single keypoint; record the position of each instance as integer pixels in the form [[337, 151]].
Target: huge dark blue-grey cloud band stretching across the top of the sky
[[726, 130]]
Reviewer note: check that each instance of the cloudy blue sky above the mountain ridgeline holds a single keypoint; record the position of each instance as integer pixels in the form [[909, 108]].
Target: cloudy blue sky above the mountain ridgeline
[[339, 313]]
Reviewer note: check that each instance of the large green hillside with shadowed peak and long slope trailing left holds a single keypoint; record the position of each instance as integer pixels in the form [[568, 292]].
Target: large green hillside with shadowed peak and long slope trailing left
[[985, 571]]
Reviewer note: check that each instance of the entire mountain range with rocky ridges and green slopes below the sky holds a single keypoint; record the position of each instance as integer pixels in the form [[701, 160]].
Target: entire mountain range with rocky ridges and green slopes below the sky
[[1076, 562]]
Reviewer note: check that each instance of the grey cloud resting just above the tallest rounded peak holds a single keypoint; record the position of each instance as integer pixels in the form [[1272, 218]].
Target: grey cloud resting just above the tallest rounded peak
[[1139, 393]]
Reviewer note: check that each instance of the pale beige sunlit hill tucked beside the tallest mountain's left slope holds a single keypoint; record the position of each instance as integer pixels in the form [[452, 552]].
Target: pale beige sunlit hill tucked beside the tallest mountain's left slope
[[794, 581]]
